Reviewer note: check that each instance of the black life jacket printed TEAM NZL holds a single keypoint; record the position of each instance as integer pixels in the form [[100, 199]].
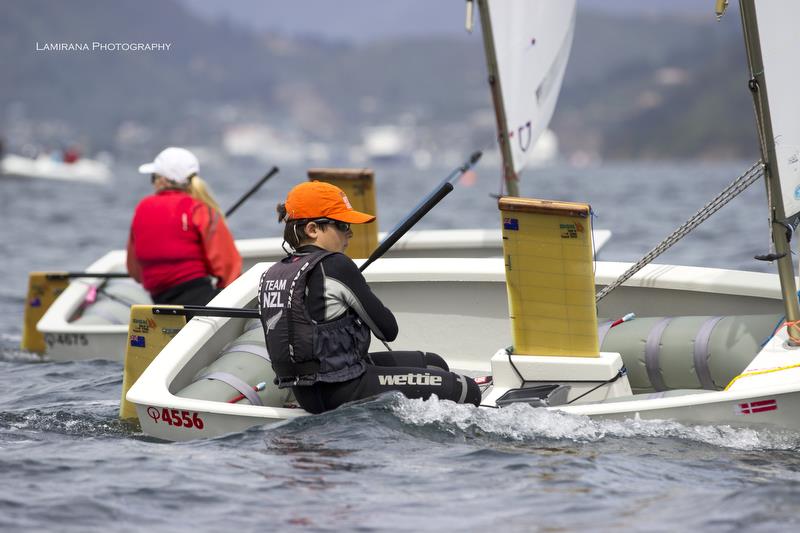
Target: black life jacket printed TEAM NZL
[[303, 351]]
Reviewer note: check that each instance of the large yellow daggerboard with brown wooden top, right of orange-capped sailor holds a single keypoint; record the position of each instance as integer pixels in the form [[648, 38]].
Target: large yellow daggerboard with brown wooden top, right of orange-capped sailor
[[547, 247]]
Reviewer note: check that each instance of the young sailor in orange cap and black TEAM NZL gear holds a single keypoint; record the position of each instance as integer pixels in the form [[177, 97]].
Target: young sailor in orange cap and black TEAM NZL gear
[[318, 311]]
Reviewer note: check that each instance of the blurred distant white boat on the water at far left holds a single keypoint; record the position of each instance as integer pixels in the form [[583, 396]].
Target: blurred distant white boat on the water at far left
[[87, 170]]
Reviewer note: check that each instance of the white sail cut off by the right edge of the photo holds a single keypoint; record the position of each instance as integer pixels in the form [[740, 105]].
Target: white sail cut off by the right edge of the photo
[[780, 50]]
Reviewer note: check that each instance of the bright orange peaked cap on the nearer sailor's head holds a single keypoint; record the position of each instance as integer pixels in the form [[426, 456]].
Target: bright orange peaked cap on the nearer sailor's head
[[318, 199]]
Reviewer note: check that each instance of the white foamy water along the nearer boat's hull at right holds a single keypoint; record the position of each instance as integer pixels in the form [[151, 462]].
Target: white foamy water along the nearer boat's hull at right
[[521, 422]]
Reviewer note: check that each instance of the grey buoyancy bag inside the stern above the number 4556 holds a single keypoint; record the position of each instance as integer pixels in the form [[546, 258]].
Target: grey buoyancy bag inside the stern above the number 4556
[[234, 377]]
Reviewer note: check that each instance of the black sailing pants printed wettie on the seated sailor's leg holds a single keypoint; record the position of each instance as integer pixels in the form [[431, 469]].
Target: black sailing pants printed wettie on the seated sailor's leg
[[415, 374]]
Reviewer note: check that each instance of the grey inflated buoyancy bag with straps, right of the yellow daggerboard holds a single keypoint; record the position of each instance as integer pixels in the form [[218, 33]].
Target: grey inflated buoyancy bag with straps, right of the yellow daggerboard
[[690, 352]]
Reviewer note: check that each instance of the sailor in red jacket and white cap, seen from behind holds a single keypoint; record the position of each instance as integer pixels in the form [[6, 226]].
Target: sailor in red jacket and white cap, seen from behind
[[179, 238]]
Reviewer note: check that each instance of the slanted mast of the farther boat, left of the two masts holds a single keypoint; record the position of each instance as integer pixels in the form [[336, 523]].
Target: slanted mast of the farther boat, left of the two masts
[[511, 178]]
